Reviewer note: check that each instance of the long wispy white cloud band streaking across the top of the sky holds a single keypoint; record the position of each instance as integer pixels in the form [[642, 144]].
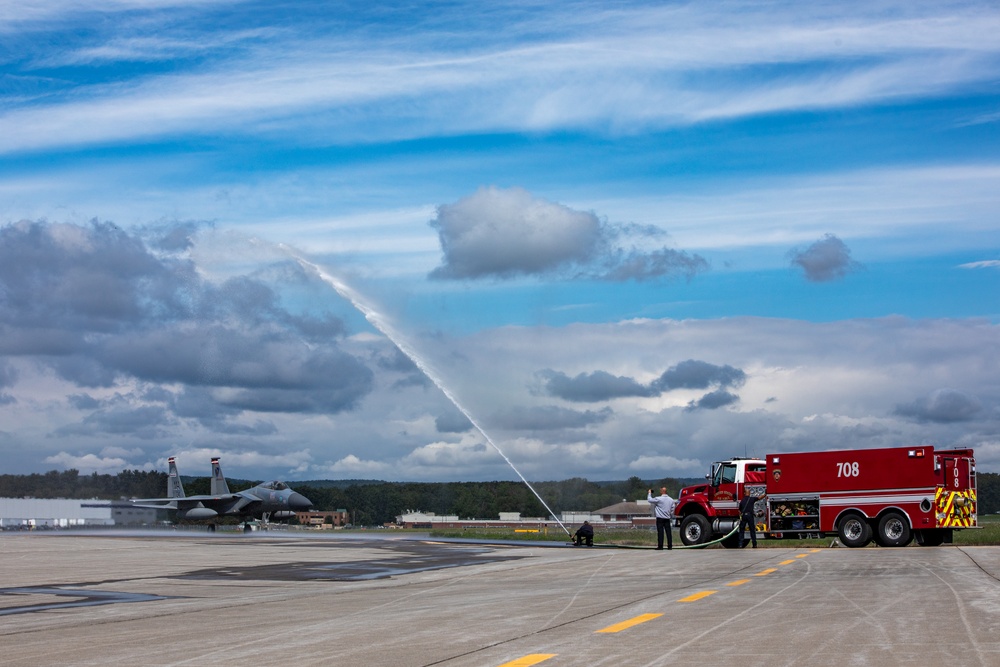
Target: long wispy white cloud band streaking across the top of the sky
[[648, 62]]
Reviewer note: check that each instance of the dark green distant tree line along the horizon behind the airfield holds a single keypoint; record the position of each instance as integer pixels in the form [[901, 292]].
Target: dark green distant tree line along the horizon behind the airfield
[[375, 502]]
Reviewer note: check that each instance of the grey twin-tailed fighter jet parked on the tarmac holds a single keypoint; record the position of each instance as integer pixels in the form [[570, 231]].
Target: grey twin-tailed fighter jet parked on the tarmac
[[270, 500]]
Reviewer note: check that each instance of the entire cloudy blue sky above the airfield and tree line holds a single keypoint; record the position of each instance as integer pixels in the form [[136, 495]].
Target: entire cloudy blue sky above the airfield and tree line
[[629, 239]]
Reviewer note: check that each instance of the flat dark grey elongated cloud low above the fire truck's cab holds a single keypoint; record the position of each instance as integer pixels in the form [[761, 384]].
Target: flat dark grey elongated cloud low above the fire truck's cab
[[689, 374]]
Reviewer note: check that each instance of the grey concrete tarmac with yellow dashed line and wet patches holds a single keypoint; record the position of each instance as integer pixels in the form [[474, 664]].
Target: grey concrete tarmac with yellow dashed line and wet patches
[[294, 600]]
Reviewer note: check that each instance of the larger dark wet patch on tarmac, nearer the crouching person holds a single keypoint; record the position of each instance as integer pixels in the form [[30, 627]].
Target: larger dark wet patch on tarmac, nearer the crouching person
[[412, 559]]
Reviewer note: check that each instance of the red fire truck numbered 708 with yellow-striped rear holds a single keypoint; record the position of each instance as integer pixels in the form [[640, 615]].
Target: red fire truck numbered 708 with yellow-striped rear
[[891, 495]]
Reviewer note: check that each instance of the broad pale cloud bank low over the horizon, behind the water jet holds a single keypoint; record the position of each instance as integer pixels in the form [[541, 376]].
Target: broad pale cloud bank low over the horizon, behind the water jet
[[809, 386]]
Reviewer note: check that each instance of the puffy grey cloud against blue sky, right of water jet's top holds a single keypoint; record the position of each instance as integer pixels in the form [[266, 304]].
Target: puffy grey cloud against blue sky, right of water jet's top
[[498, 233]]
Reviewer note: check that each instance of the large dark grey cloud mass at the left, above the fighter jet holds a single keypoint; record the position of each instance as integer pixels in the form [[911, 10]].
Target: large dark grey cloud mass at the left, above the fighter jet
[[102, 308]]
